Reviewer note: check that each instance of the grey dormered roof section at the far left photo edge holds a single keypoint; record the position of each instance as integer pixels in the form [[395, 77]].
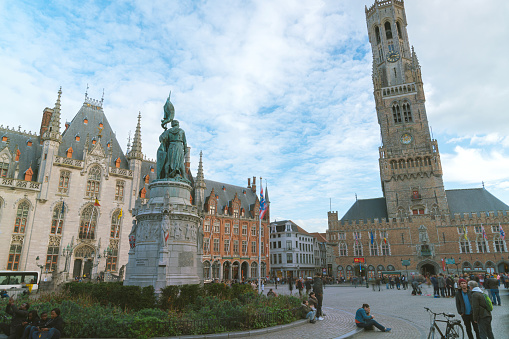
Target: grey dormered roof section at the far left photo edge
[[29, 155]]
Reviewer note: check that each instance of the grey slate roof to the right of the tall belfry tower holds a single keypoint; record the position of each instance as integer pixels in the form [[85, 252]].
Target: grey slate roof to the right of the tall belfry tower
[[474, 200]]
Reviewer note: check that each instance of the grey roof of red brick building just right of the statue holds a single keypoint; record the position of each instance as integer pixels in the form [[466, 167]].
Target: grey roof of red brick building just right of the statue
[[227, 195]]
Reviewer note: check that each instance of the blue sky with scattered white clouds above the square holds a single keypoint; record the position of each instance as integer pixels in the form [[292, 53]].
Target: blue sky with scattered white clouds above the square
[[275, 89]]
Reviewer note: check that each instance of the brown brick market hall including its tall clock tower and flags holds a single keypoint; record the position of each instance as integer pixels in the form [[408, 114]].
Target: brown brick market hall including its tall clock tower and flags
[[417, 222]]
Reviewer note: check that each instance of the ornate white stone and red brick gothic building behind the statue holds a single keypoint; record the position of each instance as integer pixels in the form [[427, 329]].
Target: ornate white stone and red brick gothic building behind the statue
[[66, 198]]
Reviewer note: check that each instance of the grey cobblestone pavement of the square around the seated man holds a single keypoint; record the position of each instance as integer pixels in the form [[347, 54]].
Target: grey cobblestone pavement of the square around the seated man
[[393, 308]]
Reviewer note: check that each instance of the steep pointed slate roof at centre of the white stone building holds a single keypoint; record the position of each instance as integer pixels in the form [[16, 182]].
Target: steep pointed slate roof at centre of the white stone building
[[95, 115]]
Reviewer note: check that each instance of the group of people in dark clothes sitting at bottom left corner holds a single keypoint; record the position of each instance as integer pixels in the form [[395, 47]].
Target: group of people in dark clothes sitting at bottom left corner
[[26, 324]]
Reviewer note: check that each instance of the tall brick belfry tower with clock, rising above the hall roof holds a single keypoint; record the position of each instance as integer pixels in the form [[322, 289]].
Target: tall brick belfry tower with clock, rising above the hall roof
[[410, 167]]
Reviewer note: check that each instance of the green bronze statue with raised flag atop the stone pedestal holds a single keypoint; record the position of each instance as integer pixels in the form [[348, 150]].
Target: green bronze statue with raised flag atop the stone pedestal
[[173, 147]]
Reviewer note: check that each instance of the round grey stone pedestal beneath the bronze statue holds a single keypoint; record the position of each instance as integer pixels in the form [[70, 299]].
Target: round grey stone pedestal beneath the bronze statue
[[166, 231]]
